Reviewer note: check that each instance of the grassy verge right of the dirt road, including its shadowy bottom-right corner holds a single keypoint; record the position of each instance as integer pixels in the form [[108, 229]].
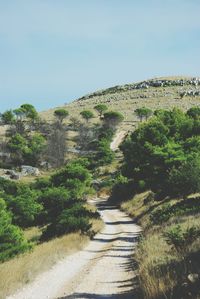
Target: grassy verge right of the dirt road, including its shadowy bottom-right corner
[[163, 271]]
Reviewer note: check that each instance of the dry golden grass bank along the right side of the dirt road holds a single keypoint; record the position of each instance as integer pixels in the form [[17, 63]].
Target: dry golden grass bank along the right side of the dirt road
[[160, 267]]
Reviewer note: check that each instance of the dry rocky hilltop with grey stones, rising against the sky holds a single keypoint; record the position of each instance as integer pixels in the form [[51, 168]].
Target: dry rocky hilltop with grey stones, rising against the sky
[[165, 93]]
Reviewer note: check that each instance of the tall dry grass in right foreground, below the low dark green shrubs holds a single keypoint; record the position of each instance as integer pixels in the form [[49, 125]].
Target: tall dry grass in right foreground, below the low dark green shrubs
[[161, 268]]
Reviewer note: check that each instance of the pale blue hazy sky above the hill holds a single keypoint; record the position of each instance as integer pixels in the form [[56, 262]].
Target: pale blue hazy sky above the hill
[[54, 51]]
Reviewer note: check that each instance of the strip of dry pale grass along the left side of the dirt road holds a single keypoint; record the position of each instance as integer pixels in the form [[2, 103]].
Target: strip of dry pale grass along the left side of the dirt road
[[22, 269]]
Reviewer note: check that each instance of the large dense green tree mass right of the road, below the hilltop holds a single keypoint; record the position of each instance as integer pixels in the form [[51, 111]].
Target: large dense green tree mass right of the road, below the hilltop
[[164, 153]]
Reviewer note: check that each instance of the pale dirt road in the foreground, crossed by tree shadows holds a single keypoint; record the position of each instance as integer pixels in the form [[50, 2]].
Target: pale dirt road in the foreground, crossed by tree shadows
[[103, 269]]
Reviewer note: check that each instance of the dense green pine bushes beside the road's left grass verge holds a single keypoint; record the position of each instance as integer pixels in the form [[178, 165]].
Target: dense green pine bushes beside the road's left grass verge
[[56, 203]]
